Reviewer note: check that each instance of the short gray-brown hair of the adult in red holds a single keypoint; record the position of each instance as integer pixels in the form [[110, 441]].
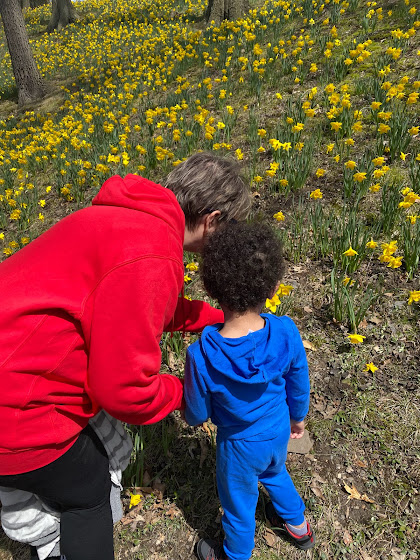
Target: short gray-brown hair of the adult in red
[[204, 183]]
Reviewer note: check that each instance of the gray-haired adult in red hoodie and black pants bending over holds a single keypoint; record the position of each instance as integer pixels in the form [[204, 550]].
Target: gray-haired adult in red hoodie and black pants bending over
[[82, 310]]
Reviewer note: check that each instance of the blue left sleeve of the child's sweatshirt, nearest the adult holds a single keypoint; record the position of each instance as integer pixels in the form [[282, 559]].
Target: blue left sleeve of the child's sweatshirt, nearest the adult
[[197, 397]]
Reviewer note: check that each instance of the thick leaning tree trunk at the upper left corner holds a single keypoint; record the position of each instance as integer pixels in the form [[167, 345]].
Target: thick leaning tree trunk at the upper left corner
[[29, 83]]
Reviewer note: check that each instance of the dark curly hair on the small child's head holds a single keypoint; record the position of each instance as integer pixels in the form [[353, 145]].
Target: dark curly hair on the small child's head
[[242, 264]]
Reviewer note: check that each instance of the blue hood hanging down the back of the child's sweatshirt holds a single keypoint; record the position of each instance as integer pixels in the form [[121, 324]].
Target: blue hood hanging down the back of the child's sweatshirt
[[257, 358]]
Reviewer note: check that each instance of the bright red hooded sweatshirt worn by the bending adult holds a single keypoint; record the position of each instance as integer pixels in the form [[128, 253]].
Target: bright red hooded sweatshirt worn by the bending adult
[[82, 310]]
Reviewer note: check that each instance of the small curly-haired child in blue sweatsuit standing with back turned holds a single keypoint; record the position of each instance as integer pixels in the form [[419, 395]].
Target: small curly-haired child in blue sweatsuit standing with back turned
[[250, 375]]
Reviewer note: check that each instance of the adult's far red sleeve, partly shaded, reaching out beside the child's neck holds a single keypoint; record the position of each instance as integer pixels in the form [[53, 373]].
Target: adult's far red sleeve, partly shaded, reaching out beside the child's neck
[[194, 315]]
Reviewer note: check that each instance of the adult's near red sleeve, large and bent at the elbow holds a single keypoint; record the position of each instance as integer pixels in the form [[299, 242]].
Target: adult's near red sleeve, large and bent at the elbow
[[131, 306]]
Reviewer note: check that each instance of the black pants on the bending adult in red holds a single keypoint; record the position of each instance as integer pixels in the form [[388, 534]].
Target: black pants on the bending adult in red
[[78, 486]]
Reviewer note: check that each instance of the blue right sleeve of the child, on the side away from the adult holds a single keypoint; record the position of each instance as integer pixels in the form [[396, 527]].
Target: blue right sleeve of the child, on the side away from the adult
[[297, 378]]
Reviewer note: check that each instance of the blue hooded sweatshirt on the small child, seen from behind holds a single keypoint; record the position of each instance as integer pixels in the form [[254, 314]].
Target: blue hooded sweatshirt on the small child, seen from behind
[[248, 385]]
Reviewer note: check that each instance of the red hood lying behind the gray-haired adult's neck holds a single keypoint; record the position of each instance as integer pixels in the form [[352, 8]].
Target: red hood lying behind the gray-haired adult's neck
[[140, 194]]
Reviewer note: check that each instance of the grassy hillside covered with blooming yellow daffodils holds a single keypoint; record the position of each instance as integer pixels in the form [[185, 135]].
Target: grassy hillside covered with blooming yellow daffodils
[[320, 102]]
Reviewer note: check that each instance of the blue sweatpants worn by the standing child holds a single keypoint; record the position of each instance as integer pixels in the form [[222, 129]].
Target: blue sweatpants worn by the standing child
[[240, 465]]
